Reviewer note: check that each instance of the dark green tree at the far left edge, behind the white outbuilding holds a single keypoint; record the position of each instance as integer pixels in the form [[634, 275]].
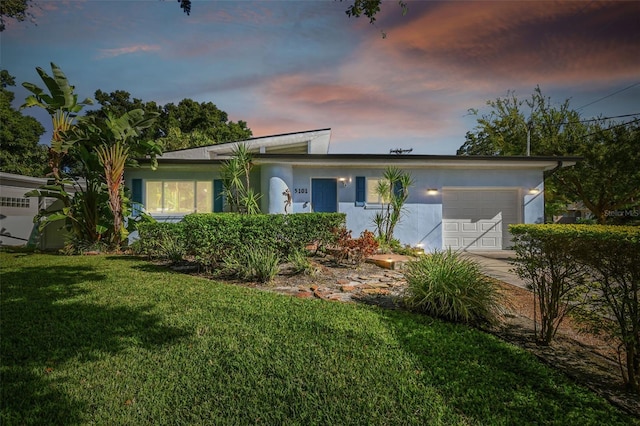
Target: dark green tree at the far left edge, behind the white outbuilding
[[21, 152]]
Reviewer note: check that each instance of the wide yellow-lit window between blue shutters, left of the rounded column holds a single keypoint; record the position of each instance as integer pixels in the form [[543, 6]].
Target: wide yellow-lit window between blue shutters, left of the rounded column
[[179, 196]]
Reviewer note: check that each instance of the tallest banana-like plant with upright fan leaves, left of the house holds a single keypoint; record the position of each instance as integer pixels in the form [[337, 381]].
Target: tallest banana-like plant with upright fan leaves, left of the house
[[62, 105]]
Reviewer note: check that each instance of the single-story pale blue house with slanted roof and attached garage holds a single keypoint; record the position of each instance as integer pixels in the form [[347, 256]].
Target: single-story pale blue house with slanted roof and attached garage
[[457, 202]]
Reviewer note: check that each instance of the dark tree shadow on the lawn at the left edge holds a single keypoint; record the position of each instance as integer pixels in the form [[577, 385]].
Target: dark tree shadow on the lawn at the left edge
[[47, 319]]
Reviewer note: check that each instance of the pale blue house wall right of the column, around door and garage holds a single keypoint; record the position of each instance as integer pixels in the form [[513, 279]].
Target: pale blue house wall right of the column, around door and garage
[[421, 224]]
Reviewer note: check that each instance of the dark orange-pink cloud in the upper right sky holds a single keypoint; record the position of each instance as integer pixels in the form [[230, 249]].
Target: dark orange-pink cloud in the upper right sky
[[535, 42]]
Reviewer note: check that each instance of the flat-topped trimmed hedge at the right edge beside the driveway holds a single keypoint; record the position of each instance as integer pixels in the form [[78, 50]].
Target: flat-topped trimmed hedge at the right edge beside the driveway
[[608, 259]]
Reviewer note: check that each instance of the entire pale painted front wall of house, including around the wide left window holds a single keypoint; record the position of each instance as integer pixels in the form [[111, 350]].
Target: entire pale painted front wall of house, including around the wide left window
[[421, 224]]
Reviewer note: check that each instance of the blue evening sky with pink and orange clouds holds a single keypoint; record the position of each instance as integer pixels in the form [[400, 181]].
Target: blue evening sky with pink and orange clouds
[[287, 66]]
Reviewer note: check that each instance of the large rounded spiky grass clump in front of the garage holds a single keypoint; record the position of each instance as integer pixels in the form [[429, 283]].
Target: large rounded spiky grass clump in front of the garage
[[448, 286]]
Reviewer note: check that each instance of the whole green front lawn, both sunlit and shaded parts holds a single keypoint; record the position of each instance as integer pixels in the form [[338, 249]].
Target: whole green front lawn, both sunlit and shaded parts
[[115, 340]]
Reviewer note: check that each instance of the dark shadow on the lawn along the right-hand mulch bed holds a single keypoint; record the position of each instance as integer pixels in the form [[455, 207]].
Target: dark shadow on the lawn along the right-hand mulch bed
[[490, 380]]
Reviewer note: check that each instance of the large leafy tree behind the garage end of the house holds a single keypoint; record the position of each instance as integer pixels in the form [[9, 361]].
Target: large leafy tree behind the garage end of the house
[[606, 180]]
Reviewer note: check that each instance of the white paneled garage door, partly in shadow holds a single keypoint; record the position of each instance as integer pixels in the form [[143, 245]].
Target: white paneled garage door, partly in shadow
[[478, 219]]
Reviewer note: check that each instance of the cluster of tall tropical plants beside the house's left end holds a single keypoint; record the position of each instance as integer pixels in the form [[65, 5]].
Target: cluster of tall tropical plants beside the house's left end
[[101, 149]]
